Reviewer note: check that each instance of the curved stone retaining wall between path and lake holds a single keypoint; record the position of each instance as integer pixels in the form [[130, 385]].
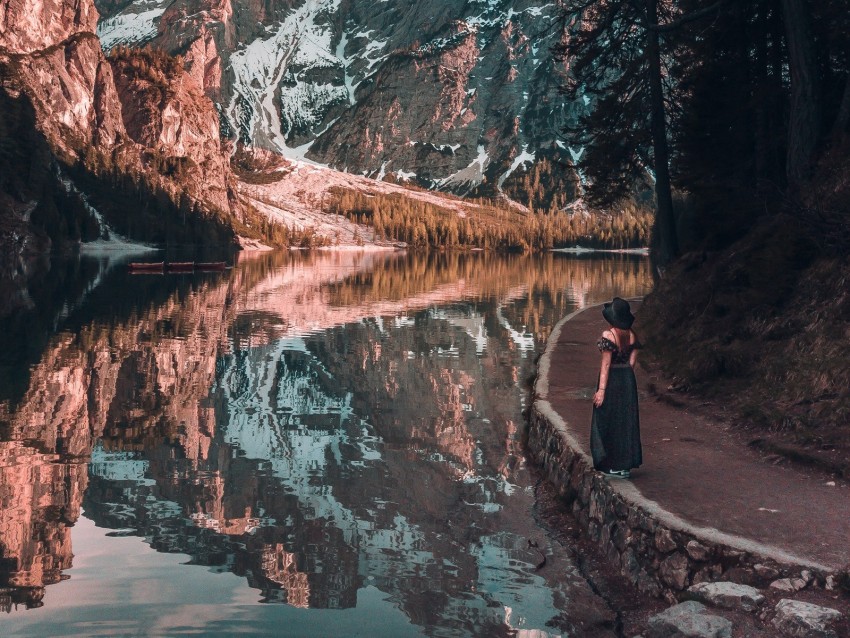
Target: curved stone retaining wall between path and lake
[[659, 557]]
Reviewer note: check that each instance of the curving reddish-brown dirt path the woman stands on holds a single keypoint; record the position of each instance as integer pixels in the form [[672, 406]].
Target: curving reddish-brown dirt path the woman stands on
[[697, 471]]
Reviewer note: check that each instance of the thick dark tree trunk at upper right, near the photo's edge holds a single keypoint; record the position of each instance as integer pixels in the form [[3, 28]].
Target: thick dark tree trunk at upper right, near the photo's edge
[[805, 116]]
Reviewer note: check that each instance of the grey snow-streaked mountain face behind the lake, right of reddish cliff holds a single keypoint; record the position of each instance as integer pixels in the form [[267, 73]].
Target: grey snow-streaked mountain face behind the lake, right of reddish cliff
[[447, 94]]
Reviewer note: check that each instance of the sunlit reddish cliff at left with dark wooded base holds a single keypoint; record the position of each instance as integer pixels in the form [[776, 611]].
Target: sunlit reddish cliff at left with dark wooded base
[[83, 130]]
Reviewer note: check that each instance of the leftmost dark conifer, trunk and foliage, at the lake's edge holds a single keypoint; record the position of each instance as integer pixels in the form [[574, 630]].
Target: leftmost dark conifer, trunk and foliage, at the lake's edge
[[617, 63]]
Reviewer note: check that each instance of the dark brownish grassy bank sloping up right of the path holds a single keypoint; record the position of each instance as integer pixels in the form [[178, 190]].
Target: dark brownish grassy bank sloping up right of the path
[[759, 331]]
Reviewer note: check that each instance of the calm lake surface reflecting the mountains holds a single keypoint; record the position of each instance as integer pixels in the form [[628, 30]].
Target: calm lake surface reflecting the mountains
[[307, 445]]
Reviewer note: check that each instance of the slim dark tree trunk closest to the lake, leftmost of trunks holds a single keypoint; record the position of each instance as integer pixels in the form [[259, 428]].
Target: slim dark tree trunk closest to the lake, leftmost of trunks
[[665, 222]]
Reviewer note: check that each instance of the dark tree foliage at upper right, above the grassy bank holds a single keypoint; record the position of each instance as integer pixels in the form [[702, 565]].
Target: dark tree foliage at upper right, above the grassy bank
[[741, 134]]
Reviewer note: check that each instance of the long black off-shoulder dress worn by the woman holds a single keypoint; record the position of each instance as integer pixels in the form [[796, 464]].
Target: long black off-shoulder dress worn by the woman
[[615, 427]]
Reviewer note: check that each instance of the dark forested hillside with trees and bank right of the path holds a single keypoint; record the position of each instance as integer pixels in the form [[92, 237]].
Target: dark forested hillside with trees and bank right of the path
[[741, 110]]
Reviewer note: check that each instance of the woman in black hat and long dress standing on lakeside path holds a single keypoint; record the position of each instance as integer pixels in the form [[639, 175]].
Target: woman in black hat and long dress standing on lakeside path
[[615, 428]]
